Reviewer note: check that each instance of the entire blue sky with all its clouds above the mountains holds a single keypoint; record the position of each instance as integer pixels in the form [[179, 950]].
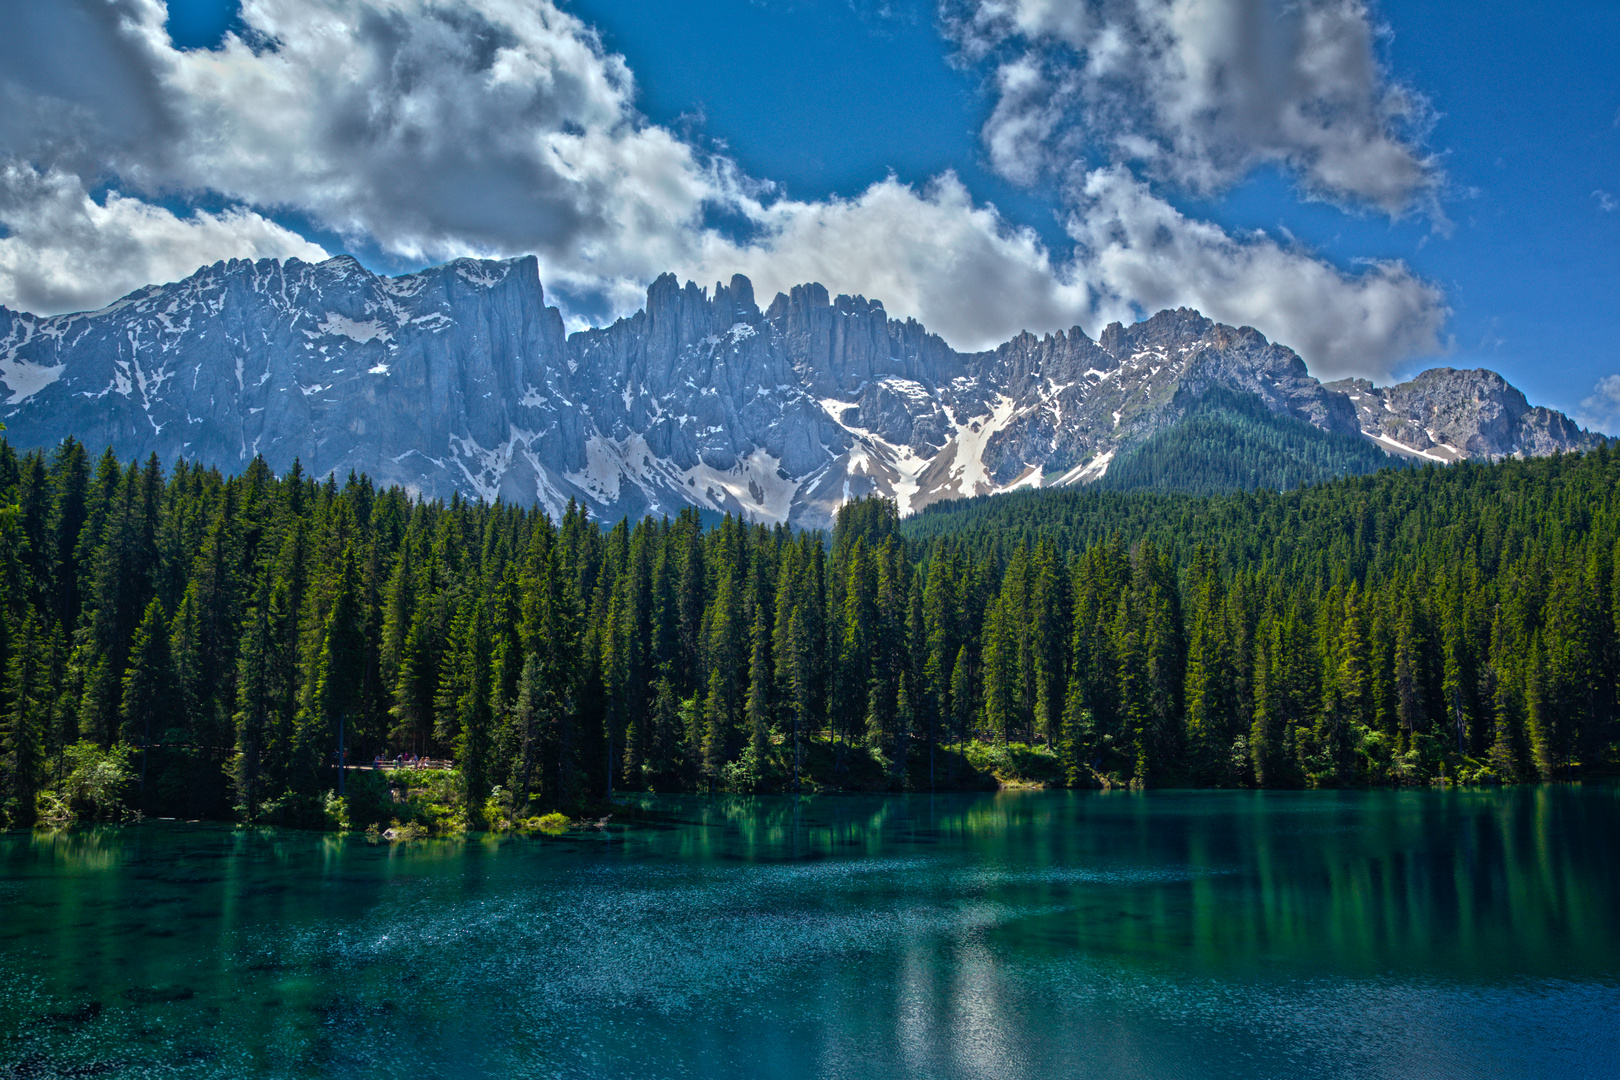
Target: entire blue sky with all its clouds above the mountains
[[1422, 185]]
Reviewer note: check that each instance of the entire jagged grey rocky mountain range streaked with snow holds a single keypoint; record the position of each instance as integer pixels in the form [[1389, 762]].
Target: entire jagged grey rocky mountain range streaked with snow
[[461, 380]]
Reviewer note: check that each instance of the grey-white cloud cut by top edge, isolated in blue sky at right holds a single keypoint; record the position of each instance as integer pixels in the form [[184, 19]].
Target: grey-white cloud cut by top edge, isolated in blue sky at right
[[1198, 93]]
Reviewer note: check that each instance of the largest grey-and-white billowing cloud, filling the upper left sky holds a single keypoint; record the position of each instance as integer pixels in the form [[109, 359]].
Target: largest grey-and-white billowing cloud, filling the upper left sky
[[430, 130]]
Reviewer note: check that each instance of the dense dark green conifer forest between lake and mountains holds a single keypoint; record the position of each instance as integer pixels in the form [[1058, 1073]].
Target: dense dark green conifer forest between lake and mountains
[[182, 644]]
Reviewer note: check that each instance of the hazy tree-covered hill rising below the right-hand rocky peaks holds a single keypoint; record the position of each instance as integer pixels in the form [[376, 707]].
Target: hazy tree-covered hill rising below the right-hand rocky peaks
[[1229, 441]]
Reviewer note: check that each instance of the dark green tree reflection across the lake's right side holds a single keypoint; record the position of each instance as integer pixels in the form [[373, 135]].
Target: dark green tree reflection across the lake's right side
[[1501, 882]]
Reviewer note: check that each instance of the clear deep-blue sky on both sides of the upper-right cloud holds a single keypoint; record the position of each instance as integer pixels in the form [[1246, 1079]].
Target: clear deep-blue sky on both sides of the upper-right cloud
[[1527, 104]]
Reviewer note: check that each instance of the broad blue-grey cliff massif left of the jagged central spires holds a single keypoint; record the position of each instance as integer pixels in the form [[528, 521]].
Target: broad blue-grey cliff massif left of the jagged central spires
[[409, 380]]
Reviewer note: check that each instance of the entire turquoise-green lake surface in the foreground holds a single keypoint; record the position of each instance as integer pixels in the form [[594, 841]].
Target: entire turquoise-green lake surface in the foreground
[[1013, 935]]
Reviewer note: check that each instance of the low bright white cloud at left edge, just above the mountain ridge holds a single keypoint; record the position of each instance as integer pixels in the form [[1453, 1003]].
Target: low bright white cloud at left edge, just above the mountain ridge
[[64, 252]]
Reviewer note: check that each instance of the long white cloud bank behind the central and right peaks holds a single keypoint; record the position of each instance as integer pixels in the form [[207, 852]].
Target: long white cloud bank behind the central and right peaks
[[966, 274]]
